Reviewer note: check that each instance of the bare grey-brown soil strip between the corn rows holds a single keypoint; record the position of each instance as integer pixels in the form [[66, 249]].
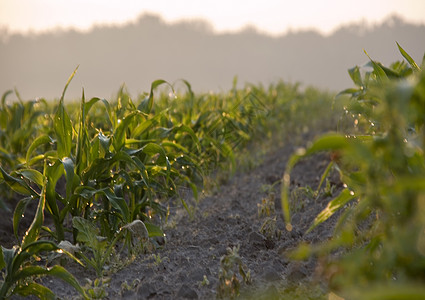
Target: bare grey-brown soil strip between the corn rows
[[187, 265]]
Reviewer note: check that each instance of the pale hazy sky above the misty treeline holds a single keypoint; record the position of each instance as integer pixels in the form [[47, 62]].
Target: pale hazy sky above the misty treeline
[[272, 16]]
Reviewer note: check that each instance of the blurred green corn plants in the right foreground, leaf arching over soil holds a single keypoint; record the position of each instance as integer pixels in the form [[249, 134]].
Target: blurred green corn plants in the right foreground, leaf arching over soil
[[382, 166]]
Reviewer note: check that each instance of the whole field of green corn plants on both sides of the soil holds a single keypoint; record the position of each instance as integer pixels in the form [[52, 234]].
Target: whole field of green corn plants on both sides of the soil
[[99, 173]]
